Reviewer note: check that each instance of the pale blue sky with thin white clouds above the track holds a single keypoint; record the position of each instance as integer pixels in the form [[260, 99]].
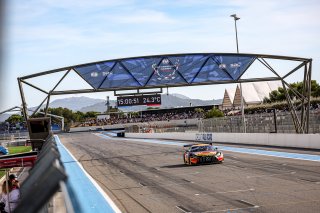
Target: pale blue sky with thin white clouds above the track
[[41, 35]]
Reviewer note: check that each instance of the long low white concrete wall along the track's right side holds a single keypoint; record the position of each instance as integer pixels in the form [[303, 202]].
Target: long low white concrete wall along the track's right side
[[309, 141]]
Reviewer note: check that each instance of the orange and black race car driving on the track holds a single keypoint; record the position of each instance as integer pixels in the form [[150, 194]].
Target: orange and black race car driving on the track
[[202, 153]]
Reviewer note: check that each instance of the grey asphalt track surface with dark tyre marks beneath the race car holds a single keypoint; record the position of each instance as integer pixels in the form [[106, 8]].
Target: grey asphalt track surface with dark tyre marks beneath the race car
[[149, 177]]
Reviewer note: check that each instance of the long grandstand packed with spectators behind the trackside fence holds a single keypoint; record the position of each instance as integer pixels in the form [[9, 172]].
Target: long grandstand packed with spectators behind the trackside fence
[[259, 119]]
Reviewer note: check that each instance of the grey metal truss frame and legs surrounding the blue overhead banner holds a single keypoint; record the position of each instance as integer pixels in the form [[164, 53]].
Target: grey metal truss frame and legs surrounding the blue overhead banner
[[302, 102]]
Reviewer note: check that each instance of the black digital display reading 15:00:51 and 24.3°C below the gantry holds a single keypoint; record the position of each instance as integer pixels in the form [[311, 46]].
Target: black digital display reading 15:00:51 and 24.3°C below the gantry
[[139, 100]]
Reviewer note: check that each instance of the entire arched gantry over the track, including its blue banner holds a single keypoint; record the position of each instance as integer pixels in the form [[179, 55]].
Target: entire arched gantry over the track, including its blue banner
[[177, 70]]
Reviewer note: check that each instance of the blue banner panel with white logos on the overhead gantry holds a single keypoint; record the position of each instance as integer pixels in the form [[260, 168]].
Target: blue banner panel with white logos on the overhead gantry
[[165, 70]]
